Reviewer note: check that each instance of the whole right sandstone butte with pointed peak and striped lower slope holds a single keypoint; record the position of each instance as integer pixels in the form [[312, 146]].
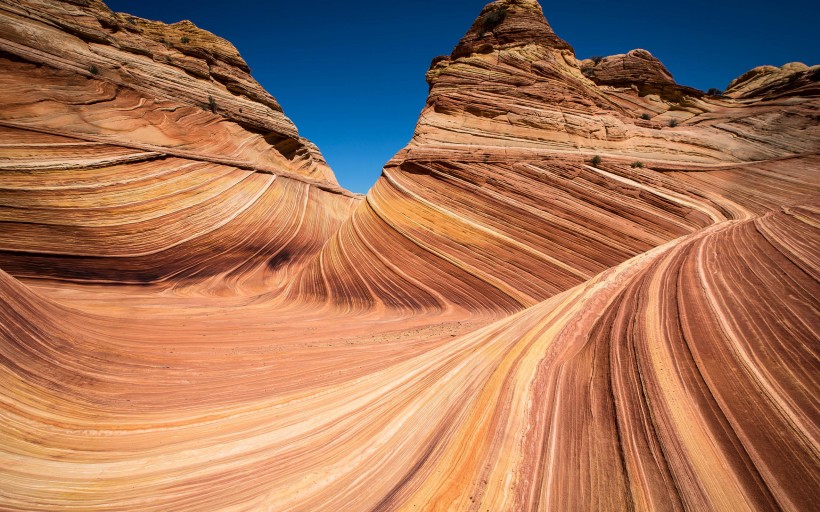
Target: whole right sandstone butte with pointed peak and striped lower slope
[[497, 189]]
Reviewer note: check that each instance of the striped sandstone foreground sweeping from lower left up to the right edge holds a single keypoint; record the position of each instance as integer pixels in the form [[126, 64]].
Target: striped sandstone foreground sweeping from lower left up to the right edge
[[623, 383]]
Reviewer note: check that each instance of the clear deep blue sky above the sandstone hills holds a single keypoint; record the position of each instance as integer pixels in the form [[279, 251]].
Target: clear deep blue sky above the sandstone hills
[[351, 74]]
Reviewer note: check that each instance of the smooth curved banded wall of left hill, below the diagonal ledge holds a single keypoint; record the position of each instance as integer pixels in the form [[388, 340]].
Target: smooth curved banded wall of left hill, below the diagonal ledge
[[66, 217]]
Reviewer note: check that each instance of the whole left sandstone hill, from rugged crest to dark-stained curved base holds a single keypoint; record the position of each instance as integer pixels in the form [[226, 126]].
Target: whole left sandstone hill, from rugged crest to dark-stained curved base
[[134, 151]]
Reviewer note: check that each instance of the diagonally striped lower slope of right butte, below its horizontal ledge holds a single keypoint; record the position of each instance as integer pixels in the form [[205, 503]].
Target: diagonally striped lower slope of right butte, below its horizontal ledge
[[532, 229]]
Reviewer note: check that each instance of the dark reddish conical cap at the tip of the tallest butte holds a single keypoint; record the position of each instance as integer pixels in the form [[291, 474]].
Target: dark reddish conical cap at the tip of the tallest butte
[[508, 23]]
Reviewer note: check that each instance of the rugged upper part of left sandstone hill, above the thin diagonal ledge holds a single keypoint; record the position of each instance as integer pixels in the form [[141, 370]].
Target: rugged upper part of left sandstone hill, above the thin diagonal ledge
[[54, 51]]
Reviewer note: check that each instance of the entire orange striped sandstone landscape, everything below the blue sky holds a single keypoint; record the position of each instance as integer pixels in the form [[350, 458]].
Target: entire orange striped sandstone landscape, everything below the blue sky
[[581, 286]]
